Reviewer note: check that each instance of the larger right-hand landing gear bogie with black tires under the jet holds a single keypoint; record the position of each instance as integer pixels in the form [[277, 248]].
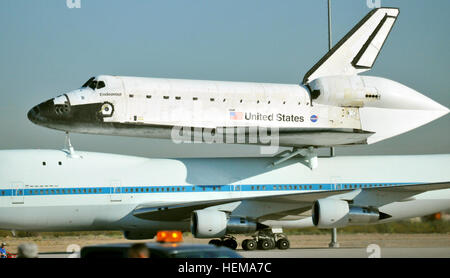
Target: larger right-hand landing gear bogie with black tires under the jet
[[266, 240]]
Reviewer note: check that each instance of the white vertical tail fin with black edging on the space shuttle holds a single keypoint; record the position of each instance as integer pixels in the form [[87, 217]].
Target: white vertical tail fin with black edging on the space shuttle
[[359, 49]]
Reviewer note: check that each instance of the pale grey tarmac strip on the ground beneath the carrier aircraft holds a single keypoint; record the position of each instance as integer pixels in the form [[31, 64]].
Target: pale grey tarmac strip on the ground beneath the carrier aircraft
[[330, 253]]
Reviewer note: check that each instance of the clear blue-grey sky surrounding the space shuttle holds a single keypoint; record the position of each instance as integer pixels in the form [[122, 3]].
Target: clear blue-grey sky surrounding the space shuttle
[[47, 49]]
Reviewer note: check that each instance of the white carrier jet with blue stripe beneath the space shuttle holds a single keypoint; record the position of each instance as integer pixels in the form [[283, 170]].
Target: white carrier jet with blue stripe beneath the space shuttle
[[49, 190]]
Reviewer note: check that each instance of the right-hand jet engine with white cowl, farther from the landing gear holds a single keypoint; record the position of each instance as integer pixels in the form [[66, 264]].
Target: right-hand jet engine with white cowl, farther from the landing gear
[[330, 213]]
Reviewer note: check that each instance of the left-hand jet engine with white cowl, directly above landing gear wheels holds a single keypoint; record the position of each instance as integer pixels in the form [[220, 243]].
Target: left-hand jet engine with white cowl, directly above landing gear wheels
[[212, 223]]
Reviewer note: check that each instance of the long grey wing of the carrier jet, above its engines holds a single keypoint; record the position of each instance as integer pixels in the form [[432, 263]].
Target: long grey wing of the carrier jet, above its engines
[[295, 202]]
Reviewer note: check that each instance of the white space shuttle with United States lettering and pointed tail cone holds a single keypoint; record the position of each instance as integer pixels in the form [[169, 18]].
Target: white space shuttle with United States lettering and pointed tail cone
[[334, 105]]
